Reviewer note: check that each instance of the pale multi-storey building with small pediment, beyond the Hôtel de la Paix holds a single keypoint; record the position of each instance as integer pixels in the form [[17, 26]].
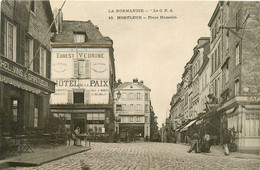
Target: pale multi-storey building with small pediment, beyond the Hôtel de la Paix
[[132, 109]]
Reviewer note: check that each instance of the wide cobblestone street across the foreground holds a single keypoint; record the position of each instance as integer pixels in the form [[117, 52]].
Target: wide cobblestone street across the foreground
[[117, 156]]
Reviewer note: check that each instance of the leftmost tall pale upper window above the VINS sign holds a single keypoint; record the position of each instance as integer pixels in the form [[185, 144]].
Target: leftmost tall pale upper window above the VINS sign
[[10, 41]]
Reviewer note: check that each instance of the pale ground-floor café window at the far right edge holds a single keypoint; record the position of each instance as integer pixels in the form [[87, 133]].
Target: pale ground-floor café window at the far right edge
[[252, 124]]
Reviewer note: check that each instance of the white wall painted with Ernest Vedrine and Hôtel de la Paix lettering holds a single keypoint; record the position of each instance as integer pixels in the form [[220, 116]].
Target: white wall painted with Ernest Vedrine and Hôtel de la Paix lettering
[[85, 69]]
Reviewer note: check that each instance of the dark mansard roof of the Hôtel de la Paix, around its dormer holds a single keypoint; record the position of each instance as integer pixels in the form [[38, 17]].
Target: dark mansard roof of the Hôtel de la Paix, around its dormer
[[93, 35]]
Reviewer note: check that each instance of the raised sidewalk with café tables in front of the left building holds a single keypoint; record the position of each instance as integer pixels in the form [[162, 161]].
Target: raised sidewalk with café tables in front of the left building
[[41, 156]]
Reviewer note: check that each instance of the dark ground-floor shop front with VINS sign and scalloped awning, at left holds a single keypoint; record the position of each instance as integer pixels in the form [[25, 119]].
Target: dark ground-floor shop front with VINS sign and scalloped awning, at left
[[24, 97]]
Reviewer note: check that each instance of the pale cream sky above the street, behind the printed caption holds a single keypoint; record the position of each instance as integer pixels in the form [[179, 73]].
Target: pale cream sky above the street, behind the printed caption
[[152, 50]]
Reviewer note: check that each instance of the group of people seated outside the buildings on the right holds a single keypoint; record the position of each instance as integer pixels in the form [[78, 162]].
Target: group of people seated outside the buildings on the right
[[200, 144]]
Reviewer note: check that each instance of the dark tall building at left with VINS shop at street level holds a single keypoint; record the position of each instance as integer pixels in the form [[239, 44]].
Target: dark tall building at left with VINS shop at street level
[[25, 84]]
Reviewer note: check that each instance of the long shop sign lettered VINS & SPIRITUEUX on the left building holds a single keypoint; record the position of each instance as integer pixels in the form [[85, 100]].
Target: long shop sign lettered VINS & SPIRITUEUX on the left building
[[16, 70]]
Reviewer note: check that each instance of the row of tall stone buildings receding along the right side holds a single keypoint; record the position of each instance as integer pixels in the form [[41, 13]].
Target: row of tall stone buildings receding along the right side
[[228, 78]]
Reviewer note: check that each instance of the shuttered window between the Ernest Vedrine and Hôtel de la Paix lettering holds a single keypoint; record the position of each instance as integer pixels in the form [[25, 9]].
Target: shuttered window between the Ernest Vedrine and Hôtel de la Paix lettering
[[82, 68]]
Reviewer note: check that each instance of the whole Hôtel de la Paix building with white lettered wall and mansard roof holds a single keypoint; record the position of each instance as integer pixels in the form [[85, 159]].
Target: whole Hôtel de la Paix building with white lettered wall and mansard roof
[[84, 71]]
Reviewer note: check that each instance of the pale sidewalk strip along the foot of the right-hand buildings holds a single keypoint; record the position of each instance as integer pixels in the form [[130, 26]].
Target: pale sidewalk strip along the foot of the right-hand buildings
[[219, 151]]
